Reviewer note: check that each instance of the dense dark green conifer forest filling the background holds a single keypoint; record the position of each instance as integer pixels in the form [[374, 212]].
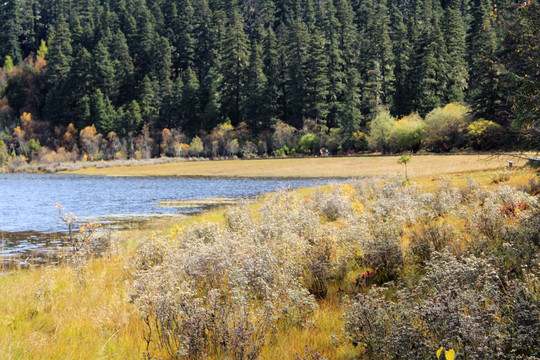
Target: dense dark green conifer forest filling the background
[[130, 69]]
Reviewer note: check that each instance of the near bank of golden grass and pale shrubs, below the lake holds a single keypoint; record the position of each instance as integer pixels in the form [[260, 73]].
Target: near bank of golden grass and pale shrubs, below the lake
[[312, 249]]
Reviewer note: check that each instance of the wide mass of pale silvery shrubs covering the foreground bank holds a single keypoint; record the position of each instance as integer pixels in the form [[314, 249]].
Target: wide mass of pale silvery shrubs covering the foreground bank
[[414, 271]]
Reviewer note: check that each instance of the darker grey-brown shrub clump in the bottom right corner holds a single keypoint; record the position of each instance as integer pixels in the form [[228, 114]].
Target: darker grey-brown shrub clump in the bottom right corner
[[462, 304]]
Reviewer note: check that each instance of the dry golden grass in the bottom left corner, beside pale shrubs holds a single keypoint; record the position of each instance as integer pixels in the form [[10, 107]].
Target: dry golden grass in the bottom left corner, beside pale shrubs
[[46, 314]]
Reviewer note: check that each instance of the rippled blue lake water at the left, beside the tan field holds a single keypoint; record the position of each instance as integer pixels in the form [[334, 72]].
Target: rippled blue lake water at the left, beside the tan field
[[28, 201]]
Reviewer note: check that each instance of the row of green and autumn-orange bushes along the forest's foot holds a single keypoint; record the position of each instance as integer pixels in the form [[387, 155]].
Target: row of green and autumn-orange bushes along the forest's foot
[[443, 129]]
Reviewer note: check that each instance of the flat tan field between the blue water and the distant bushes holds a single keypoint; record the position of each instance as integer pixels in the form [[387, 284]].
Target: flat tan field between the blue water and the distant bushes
[[421, 165]]
